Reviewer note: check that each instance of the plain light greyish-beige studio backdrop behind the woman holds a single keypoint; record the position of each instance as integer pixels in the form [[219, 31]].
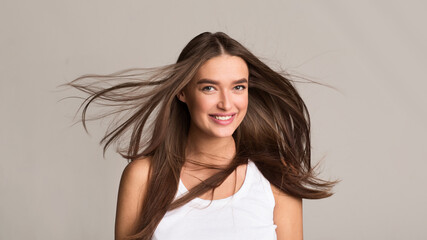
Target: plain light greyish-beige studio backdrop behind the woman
[[370, 131]]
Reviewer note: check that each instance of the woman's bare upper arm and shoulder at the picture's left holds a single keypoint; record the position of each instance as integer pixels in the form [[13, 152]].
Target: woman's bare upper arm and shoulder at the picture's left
[[131, 195]]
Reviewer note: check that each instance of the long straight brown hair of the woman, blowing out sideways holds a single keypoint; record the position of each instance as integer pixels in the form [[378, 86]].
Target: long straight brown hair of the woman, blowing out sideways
[[275, 133]]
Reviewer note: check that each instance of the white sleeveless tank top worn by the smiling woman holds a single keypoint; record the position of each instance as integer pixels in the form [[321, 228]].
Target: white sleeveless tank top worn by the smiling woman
[[248, 214]]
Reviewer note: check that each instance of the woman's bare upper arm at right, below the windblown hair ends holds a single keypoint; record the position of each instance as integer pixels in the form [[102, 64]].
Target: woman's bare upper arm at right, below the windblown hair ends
[[287, 216]]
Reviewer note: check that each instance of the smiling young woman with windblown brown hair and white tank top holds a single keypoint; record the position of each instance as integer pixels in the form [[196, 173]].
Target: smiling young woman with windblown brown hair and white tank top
[[218, 143]]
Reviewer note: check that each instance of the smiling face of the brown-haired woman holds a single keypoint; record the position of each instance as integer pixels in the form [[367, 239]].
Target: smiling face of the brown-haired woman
[[217, 96]]
